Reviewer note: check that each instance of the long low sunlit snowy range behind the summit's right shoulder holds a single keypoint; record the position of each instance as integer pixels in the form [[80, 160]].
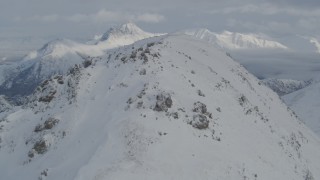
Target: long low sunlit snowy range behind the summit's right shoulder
[[233, 40]]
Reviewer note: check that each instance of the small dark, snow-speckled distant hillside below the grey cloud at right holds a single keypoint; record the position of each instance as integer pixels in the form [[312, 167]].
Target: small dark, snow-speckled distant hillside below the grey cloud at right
[[285, 86]]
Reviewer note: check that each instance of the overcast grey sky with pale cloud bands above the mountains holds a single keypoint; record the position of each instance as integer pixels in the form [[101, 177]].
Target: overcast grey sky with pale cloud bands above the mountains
[[84, 18]]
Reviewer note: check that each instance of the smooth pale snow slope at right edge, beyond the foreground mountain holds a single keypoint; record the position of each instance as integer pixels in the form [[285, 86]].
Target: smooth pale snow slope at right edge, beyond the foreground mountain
[[306, 104]]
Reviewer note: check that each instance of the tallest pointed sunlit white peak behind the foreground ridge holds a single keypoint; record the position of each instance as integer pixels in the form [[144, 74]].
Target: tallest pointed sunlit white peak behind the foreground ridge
[[122, 35]]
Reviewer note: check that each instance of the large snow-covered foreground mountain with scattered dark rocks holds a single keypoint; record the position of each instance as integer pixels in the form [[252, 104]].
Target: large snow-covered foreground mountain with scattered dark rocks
[[164, 108]]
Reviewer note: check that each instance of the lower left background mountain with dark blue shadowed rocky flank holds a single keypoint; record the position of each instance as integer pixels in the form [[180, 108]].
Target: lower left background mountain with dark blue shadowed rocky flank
[[56, 57]]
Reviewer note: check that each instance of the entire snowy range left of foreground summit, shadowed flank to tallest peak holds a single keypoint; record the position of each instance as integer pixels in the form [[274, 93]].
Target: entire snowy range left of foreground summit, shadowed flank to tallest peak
[[58, 56]]
